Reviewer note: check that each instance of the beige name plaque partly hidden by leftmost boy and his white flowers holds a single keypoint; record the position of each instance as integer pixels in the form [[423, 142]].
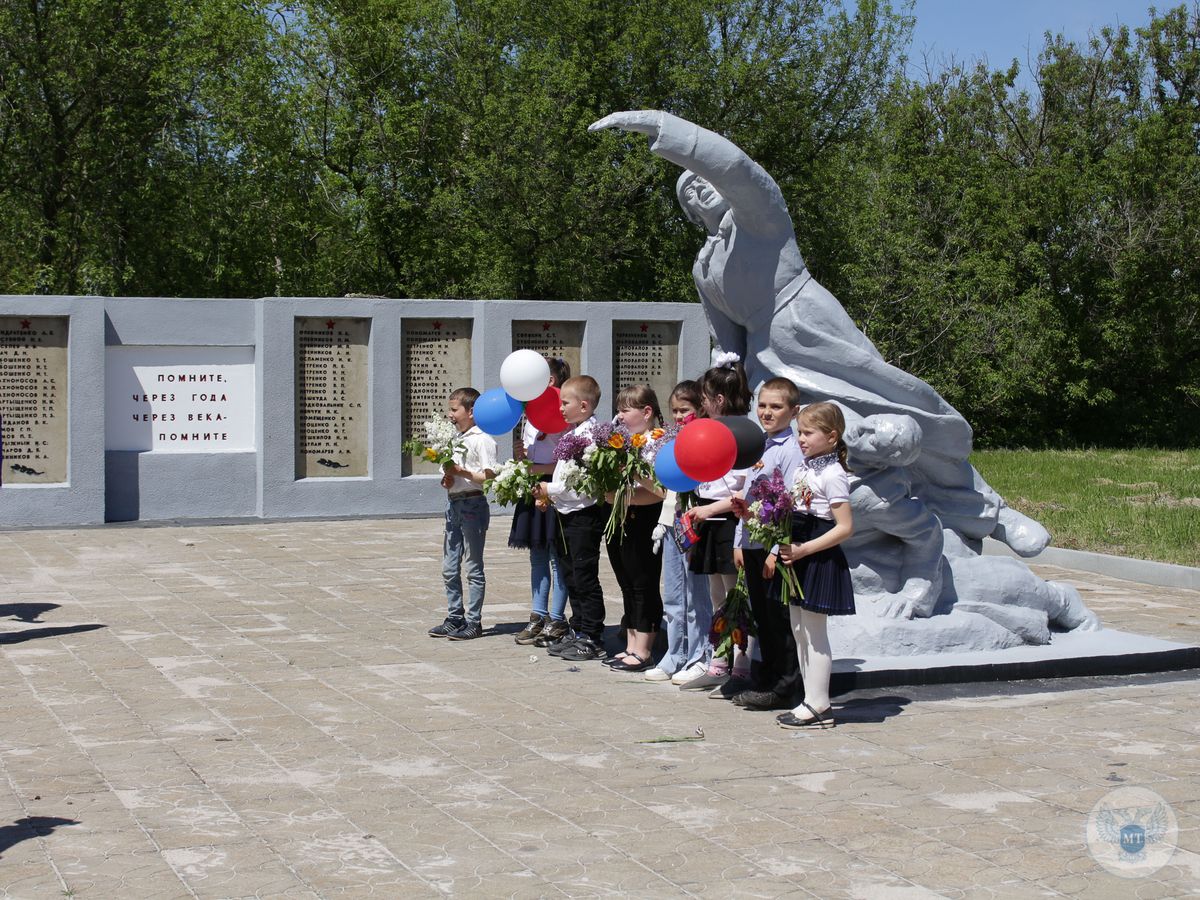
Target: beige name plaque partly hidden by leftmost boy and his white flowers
[[436, 362]]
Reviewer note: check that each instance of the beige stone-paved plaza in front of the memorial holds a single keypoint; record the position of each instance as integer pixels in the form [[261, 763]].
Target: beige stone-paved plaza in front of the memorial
[[256, 711]]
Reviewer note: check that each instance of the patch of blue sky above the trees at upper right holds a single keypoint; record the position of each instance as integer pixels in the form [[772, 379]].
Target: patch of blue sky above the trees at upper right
[[1001, 31]]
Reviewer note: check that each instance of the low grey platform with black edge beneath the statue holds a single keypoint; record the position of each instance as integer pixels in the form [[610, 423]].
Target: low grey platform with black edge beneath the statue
[[1069, 656]]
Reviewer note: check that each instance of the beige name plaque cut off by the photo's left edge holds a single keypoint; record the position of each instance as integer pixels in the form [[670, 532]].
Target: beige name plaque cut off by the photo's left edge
[[33, 400]]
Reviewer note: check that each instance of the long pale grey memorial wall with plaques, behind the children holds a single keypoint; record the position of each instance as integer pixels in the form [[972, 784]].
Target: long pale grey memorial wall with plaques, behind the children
[[163, 410]]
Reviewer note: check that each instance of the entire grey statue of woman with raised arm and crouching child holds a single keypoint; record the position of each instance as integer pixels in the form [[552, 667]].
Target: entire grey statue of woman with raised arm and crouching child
[[921, 509]]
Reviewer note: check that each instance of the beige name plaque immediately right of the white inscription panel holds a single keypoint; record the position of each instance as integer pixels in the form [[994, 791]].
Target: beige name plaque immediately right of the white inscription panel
[[332, 397]]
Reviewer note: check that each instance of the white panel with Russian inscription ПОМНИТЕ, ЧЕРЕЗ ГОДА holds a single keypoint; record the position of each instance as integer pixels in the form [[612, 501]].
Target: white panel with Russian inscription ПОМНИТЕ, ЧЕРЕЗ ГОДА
[[179, 400]]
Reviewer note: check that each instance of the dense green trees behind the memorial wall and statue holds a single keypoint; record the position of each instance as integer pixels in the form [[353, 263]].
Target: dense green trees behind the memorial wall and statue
[[1033, 253]]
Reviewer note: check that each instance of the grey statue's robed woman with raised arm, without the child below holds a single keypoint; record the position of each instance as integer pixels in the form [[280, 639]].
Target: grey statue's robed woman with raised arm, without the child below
[[764, 304]]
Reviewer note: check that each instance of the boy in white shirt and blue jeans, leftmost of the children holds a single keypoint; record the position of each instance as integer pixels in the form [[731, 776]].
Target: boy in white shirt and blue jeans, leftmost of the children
[[467, 519]]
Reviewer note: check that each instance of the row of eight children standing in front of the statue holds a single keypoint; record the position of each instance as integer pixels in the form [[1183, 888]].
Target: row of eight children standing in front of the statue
[[565, 531]]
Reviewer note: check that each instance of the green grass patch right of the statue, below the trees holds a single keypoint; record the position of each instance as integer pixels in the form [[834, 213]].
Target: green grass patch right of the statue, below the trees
[[1132, 503]]
